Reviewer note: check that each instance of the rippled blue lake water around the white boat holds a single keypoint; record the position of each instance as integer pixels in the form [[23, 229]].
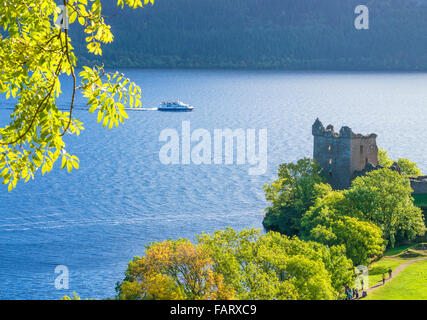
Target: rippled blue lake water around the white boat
[[96, 219]]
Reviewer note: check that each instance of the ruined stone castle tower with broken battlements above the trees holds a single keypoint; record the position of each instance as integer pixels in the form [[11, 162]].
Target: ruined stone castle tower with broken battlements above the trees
[[341, 154]]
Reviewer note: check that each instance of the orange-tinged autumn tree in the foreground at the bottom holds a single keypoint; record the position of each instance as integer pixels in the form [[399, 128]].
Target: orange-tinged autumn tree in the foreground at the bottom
[[172, 270]]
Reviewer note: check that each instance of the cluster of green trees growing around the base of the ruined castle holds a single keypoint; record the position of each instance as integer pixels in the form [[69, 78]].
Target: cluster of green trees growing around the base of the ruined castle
[[377, 211]]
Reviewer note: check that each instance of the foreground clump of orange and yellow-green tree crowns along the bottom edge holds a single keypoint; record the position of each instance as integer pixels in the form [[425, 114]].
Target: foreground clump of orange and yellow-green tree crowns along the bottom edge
[[238, 265]]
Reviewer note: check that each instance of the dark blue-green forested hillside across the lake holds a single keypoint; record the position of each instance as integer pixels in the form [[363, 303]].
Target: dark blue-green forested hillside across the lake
[[289, 34]]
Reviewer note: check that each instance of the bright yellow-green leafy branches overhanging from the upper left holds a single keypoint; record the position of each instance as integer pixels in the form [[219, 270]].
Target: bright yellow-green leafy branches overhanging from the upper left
[[35, 50]]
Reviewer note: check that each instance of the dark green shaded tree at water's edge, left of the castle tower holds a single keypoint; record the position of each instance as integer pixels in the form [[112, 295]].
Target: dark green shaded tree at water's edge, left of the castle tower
[[292, 194]]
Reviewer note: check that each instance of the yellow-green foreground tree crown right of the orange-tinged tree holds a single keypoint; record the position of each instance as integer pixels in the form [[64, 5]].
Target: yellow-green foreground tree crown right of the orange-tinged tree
[[273, 266]]
